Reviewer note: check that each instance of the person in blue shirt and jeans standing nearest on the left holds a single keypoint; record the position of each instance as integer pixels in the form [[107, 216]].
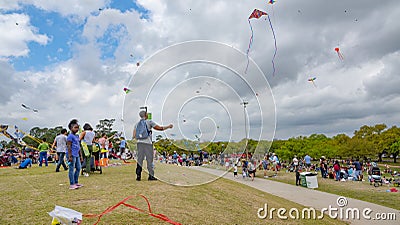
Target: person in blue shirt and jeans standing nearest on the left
[[74, 155]]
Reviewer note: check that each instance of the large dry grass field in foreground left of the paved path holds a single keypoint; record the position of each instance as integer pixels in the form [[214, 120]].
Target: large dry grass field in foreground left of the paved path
[[28, 195]]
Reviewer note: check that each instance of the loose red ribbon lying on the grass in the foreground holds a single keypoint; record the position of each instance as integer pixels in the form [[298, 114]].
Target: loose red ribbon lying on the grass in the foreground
[[111, 208]]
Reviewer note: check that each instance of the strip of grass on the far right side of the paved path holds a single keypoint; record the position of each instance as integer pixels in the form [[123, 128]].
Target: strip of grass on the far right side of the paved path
[[352, 189]]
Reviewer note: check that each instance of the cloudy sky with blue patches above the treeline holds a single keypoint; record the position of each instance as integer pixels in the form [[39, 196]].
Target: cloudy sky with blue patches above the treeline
[[186, 61]]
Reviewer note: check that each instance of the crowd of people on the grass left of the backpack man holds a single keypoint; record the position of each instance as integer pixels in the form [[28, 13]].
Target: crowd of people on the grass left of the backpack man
[[68, 150]]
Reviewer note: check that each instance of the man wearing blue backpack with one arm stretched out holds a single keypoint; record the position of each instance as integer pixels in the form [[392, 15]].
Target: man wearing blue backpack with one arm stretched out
[[142, 133]]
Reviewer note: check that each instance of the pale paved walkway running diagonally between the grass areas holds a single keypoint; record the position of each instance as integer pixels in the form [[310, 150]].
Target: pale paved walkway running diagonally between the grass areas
[[316, 199]]
